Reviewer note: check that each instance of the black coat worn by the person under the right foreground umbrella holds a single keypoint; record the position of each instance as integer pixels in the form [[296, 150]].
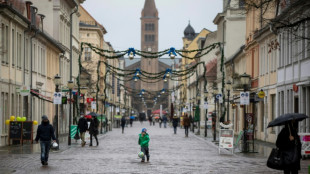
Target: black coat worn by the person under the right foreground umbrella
[[284, 144]]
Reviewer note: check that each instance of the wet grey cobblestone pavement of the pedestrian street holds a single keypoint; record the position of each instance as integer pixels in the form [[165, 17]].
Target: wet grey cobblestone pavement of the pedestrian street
[[118, 153]]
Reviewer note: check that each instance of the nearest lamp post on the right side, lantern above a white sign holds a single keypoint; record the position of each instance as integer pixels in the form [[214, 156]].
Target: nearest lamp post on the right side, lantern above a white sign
[[245, 80]]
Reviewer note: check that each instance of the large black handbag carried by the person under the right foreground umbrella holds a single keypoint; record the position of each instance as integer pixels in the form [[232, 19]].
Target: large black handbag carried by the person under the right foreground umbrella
[[275, 159]]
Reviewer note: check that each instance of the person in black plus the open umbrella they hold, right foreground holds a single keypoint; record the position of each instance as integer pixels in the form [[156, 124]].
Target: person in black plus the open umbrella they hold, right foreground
[[288, 141]]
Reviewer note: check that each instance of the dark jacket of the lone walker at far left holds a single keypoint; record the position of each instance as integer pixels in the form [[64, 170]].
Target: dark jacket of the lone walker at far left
[[45, 132]]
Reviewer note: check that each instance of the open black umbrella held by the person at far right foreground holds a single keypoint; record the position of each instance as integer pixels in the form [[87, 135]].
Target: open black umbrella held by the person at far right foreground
[[282, 119]]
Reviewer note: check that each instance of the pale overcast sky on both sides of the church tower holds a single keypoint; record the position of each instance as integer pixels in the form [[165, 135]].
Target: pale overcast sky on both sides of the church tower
[[121, 18]]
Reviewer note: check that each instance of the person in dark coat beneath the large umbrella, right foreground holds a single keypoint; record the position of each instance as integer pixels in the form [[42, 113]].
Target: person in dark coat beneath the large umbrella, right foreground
[[286, 141]]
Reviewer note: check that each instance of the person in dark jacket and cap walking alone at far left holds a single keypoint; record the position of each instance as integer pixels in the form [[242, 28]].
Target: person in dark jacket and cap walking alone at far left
[[45, 133]]
